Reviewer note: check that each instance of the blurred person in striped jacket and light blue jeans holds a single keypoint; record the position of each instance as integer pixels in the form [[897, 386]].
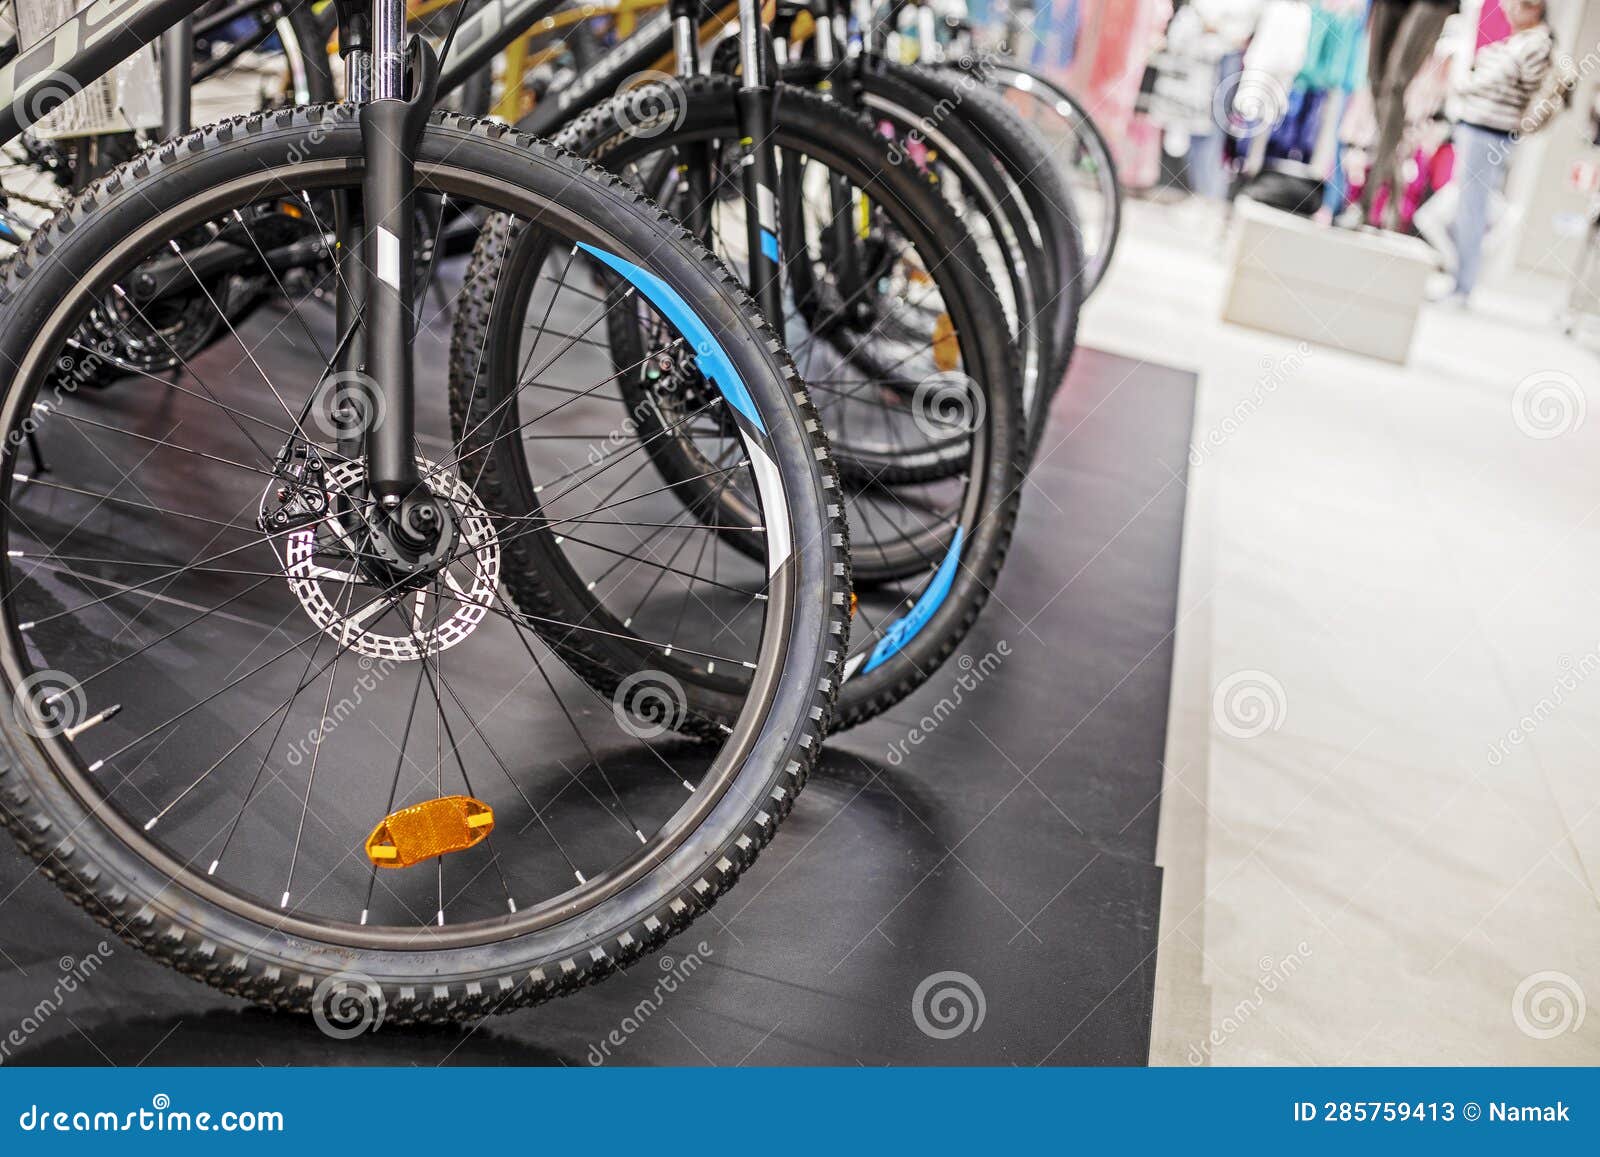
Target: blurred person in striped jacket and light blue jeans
[[1495, 106]]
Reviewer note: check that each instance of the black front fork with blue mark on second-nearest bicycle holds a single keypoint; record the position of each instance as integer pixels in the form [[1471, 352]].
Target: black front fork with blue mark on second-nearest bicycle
[[754, 105]]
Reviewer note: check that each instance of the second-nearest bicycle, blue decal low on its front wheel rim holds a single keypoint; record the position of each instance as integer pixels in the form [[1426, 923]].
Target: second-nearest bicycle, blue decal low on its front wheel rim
[[884, 298]]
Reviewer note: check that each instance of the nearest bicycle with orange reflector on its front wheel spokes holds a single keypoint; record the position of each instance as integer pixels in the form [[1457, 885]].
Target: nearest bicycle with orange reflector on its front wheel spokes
[[222, 587]]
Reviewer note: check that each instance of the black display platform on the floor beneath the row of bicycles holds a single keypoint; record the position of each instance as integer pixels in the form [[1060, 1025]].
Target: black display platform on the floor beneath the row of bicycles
[[1014, 846]]
